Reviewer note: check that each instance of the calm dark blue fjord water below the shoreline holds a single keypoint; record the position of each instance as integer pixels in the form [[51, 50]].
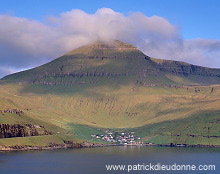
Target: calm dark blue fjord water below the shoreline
[[94, 160]]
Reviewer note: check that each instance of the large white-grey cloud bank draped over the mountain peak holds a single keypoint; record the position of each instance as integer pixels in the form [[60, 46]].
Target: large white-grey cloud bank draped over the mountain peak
[[29, 43]]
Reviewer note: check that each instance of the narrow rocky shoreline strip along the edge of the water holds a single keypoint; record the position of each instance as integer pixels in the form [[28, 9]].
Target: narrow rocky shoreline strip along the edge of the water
[[72, 145]]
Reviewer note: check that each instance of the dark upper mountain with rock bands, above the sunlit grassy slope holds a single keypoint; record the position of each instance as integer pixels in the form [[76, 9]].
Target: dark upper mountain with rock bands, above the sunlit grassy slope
[[116, 63]]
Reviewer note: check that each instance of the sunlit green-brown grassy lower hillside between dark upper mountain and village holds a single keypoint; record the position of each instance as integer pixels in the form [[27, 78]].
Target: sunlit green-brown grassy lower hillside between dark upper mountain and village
[[157, 111]]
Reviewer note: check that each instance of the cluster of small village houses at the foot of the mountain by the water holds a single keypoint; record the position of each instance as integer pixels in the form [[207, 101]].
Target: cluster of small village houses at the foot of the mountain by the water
[[120, 138]]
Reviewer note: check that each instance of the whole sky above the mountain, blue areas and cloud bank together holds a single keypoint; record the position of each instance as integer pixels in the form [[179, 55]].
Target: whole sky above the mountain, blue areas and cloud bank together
[[33, 32]]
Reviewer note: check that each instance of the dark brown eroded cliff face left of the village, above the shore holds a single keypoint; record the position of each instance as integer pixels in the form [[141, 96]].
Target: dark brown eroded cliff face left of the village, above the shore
[[18, 130]]
